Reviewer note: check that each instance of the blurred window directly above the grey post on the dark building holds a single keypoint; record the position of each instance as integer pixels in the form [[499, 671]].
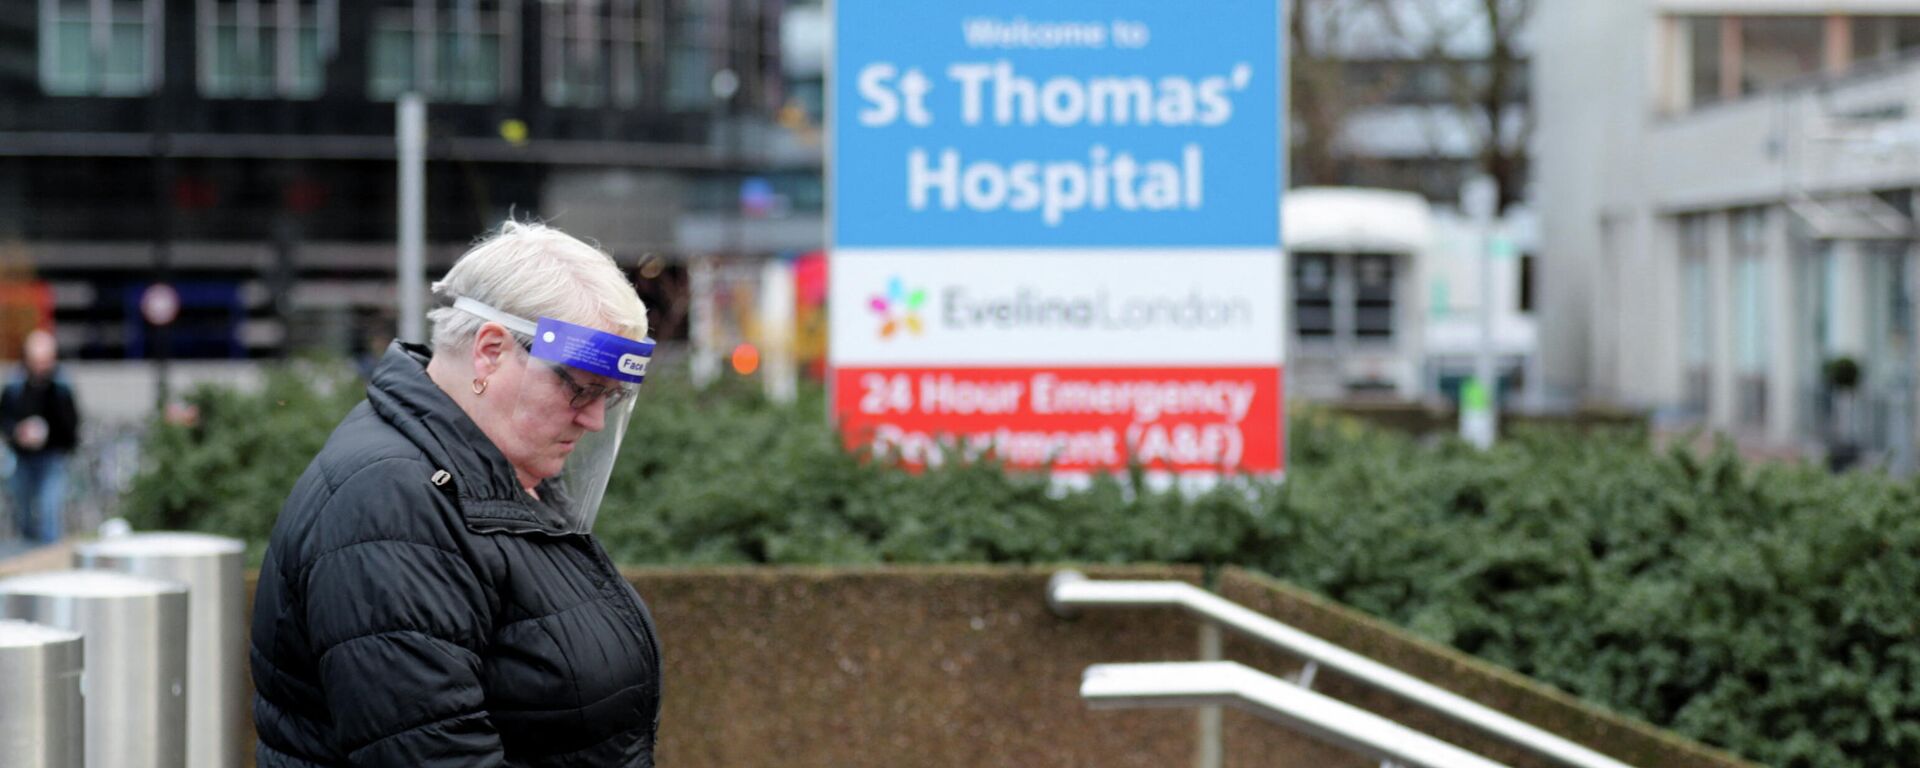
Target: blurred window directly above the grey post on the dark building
[[462, 51]]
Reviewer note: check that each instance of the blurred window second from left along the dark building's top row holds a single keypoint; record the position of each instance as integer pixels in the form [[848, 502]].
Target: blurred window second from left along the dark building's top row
[[266, 49]]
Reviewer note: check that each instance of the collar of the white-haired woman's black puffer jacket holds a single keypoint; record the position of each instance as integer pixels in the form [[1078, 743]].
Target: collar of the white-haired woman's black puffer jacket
[[483, 479]]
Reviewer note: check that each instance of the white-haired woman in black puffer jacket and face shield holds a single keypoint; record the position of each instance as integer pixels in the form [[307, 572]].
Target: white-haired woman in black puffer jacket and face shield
[[433, 594]]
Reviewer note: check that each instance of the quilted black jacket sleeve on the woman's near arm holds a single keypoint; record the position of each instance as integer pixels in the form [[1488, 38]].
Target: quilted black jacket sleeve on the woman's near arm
[[398, 621]]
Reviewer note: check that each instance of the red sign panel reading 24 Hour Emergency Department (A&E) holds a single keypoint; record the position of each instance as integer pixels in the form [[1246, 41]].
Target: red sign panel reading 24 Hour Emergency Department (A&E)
[[1072, 420]]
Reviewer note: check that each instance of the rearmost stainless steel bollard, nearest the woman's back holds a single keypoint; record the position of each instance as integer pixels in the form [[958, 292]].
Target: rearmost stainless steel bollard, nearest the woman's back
[[216, 640]]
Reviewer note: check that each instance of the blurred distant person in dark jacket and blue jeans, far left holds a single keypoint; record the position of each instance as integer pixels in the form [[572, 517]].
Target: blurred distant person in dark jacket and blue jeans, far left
[[43, 427]]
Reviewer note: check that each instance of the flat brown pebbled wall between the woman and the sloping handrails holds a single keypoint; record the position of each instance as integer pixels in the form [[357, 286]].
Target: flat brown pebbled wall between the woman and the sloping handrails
[[901, 667]]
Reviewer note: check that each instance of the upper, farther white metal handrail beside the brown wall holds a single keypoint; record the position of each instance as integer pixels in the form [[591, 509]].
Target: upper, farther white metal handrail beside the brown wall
[[1070, 590]]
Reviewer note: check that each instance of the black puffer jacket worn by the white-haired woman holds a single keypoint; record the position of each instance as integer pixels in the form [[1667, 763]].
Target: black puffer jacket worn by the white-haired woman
[[420, 619]]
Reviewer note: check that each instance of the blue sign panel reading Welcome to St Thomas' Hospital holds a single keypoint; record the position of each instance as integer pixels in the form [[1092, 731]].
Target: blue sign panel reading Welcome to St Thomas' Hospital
[[1057, 124]]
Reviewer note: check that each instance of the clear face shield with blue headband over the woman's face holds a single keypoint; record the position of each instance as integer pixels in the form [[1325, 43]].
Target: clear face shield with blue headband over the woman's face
[[571, 408]]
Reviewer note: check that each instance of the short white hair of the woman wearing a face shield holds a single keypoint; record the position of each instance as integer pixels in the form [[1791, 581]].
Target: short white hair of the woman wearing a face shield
[[535, 272]]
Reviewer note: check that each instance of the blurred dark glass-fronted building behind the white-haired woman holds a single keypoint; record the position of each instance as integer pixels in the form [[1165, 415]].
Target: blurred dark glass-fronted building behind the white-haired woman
[[281, 126]]
